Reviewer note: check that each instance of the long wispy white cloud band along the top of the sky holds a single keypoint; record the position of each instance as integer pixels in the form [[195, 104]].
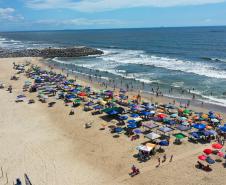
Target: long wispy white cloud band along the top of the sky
[[108, 5]]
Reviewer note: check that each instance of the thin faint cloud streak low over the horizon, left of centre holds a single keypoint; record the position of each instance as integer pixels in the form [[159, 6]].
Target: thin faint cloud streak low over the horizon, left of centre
[[78, 22]]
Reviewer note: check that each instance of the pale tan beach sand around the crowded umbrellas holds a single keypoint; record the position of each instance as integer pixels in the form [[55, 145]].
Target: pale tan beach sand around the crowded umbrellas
[[53, 148]]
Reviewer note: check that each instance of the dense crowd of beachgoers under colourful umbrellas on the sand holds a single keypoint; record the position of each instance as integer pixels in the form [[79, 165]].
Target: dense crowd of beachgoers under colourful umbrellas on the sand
[[162, 125]]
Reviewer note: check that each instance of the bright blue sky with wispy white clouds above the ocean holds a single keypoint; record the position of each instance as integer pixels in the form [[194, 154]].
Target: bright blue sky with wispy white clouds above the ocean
[[25, 15]]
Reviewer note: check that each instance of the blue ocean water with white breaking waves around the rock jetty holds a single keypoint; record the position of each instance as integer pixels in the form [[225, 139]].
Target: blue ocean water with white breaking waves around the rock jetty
[[189, 60]]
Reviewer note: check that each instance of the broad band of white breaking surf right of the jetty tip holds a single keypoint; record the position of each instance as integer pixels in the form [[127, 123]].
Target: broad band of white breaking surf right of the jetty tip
[[125, 57]]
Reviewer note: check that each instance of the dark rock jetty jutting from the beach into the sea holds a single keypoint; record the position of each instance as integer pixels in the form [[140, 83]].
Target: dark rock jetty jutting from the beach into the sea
[[51, 52]]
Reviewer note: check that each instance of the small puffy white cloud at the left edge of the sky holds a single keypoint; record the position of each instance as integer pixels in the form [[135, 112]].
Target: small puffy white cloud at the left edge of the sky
[[9, 14]]
